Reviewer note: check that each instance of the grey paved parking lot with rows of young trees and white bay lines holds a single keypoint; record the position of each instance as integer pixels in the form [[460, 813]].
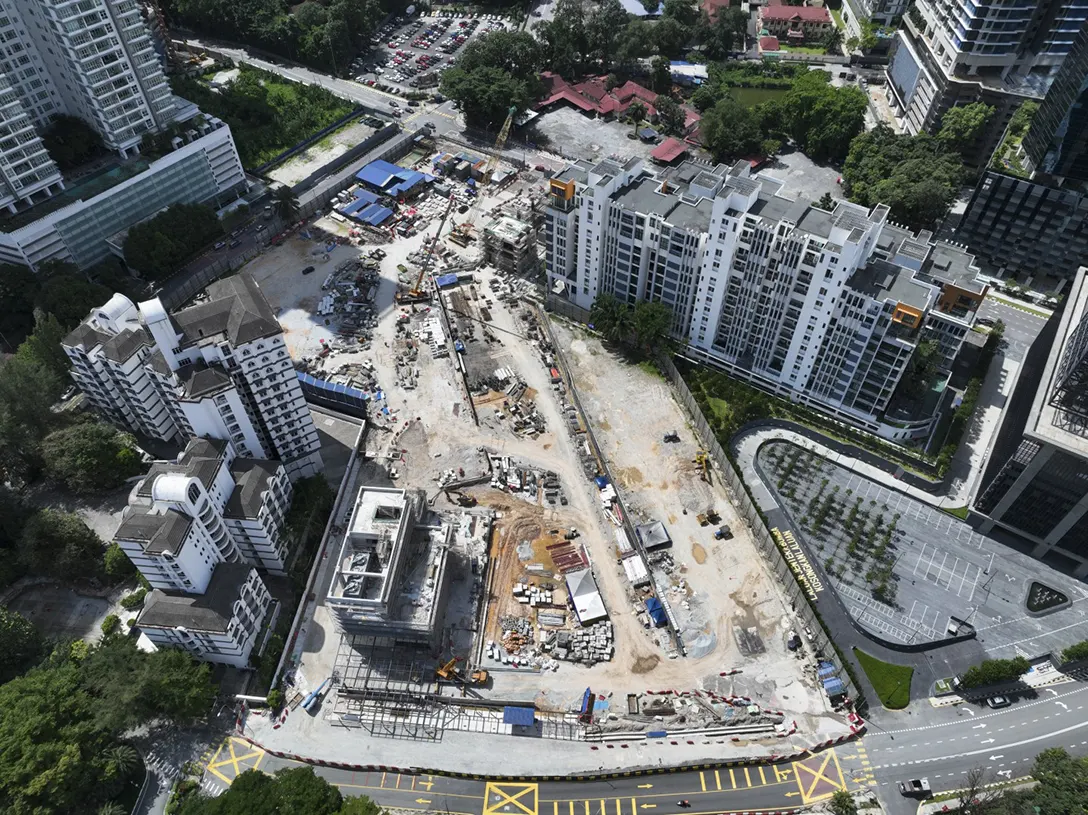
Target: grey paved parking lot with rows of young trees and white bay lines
[[944, 572]]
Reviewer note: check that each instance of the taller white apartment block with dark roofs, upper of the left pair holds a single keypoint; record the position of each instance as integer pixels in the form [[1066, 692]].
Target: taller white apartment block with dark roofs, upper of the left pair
[[218, 369]]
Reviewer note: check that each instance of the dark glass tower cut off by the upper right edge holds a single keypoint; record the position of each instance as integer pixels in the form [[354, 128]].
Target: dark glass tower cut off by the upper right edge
[[1057, 143]]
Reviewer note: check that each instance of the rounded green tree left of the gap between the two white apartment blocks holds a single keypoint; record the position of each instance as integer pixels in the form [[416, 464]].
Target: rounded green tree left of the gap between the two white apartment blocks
[[91, 456]]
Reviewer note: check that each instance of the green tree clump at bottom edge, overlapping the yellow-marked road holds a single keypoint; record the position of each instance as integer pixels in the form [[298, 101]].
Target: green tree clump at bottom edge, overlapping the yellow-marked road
[[295, 792]]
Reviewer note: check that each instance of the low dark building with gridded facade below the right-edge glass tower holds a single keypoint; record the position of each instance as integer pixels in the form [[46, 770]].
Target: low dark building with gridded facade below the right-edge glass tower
[[1020, 227]]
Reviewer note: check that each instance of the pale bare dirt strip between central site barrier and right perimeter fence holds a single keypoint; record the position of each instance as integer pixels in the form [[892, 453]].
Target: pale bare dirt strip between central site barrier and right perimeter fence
[[721, 589]]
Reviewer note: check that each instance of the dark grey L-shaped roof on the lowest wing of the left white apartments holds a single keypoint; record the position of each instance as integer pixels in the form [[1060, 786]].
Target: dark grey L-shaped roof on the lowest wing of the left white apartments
[[211, 612]]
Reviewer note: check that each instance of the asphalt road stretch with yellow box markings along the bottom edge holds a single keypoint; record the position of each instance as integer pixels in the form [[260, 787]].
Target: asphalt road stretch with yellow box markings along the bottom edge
[[776, 788]]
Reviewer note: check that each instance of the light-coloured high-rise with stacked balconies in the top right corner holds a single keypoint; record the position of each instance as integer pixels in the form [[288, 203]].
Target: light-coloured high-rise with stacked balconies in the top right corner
[[1002, 53]]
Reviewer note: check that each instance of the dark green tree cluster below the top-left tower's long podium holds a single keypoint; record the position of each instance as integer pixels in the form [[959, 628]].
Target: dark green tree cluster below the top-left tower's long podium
[[160, 246]]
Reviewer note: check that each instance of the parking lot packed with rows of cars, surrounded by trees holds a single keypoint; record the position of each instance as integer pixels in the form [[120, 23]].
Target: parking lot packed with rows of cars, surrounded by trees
[[412, 55]]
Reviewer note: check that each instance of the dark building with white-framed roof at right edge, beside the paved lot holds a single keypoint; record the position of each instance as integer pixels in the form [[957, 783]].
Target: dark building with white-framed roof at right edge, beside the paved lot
[[1037, 480]]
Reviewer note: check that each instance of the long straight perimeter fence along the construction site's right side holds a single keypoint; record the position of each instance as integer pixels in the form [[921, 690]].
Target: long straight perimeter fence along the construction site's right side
[[746, 507]]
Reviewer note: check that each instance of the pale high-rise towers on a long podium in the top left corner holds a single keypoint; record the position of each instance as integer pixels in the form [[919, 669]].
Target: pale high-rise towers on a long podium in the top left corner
[[95, 60]]
